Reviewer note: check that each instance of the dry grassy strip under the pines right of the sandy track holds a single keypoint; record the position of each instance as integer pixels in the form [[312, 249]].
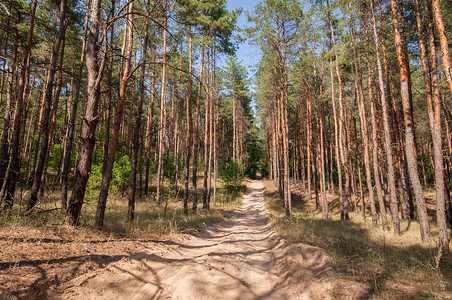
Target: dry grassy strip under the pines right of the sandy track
[[395, 266]]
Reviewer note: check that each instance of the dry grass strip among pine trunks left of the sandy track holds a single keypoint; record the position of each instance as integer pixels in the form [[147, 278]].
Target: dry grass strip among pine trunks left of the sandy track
[[150, 219]]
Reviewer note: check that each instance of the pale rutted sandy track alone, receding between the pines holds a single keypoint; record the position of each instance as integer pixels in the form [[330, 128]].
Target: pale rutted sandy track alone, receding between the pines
[[240, 258]]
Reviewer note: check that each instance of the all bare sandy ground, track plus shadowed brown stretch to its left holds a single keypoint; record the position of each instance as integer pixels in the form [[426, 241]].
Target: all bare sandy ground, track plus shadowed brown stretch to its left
[[238, 258]]
